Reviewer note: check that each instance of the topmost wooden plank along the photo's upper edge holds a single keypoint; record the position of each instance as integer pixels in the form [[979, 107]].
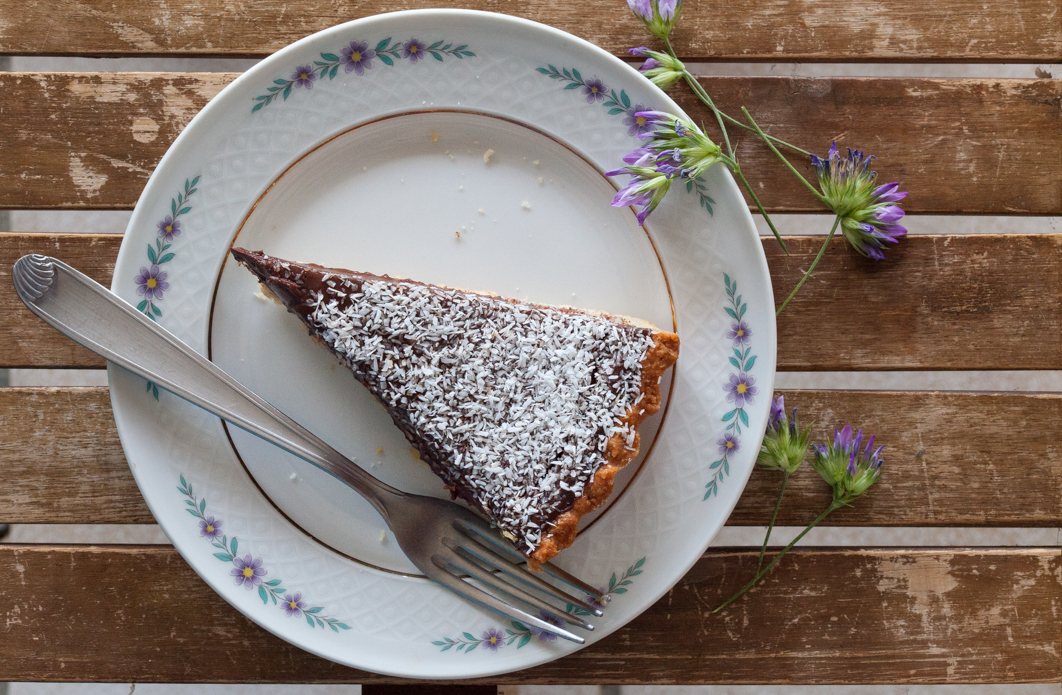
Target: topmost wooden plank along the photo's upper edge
[[1005, 31]]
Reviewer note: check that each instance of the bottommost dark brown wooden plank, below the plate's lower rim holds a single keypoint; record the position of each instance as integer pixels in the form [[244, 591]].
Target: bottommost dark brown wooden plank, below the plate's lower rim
[[823, 617]]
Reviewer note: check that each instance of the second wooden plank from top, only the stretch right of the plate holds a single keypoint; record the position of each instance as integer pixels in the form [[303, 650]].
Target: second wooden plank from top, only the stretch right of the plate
[[962, 146]]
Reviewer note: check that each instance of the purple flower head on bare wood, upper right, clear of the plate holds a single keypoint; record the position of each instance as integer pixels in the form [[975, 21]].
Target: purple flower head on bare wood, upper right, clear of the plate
[[869, 216]]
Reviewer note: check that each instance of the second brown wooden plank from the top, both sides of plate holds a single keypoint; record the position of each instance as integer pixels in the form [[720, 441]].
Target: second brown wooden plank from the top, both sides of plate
[[961, 146]]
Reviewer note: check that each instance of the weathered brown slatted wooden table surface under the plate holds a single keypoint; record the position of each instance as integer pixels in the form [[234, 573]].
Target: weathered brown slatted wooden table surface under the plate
[[842, 616]]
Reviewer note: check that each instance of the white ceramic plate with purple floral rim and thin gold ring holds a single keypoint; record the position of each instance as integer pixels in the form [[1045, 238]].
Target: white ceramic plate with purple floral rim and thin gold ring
[[477, 165]]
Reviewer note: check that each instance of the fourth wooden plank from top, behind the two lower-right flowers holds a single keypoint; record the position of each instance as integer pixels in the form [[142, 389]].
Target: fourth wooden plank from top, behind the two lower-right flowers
[[78, 473]]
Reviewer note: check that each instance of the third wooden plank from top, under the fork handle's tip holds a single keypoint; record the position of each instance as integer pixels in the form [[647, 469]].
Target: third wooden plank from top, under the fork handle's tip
[[920, 311]]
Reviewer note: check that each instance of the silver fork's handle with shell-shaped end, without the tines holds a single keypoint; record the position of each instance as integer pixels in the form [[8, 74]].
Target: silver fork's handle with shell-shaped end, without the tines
[[83, 310]]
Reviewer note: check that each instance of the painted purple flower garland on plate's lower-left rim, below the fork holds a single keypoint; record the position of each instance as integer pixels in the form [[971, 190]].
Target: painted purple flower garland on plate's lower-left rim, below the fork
[[249, 571]]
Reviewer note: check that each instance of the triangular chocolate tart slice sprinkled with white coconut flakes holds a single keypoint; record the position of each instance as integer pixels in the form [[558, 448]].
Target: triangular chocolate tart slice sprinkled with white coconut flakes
[[526, 412]]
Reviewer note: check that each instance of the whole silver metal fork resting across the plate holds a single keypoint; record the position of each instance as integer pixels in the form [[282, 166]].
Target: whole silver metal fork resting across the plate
[[446, 541]]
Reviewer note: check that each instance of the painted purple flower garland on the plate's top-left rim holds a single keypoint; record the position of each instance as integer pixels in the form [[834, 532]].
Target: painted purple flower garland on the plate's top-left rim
[[357, 58]]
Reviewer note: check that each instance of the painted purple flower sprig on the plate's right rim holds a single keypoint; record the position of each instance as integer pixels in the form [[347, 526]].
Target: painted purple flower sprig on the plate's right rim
[[741, 387]]
